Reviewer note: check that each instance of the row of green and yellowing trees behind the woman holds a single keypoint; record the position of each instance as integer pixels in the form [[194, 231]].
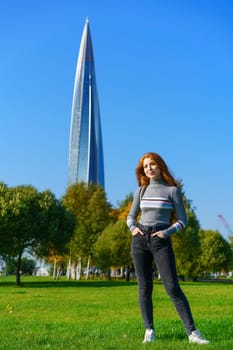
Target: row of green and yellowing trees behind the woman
[[83, 228]]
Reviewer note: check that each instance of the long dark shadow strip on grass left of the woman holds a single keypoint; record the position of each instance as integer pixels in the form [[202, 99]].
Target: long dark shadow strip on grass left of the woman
[[33, 283]]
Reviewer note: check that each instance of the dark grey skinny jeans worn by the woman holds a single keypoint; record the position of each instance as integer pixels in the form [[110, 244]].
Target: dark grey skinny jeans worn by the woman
[[144, 250]]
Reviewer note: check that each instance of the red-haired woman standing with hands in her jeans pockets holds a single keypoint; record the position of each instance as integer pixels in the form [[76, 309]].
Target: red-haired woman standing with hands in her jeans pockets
[[162, 214]]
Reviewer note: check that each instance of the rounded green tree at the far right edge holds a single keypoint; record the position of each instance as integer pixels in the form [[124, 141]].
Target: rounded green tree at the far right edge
[[216, 253]]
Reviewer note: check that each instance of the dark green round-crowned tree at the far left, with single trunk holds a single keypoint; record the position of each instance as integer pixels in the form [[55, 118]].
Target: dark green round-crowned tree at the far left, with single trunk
[[31, 221]]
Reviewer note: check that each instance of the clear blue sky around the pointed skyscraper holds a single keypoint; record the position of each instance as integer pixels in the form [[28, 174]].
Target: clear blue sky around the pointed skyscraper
[[165, 81]]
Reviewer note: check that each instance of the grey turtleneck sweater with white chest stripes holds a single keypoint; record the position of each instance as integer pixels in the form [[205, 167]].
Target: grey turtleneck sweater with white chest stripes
[[156, 205]]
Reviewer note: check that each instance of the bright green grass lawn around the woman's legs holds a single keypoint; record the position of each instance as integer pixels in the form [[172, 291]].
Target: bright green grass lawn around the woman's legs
[[83, 315]]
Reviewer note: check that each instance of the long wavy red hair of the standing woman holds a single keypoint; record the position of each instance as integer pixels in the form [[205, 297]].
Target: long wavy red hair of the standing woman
[[143, 180]]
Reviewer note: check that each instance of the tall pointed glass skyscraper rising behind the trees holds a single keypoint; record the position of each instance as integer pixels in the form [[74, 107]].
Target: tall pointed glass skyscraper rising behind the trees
[[86, 162]]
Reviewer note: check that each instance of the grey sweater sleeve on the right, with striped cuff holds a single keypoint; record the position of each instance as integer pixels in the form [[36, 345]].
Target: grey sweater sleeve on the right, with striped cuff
[[181, 216]]
